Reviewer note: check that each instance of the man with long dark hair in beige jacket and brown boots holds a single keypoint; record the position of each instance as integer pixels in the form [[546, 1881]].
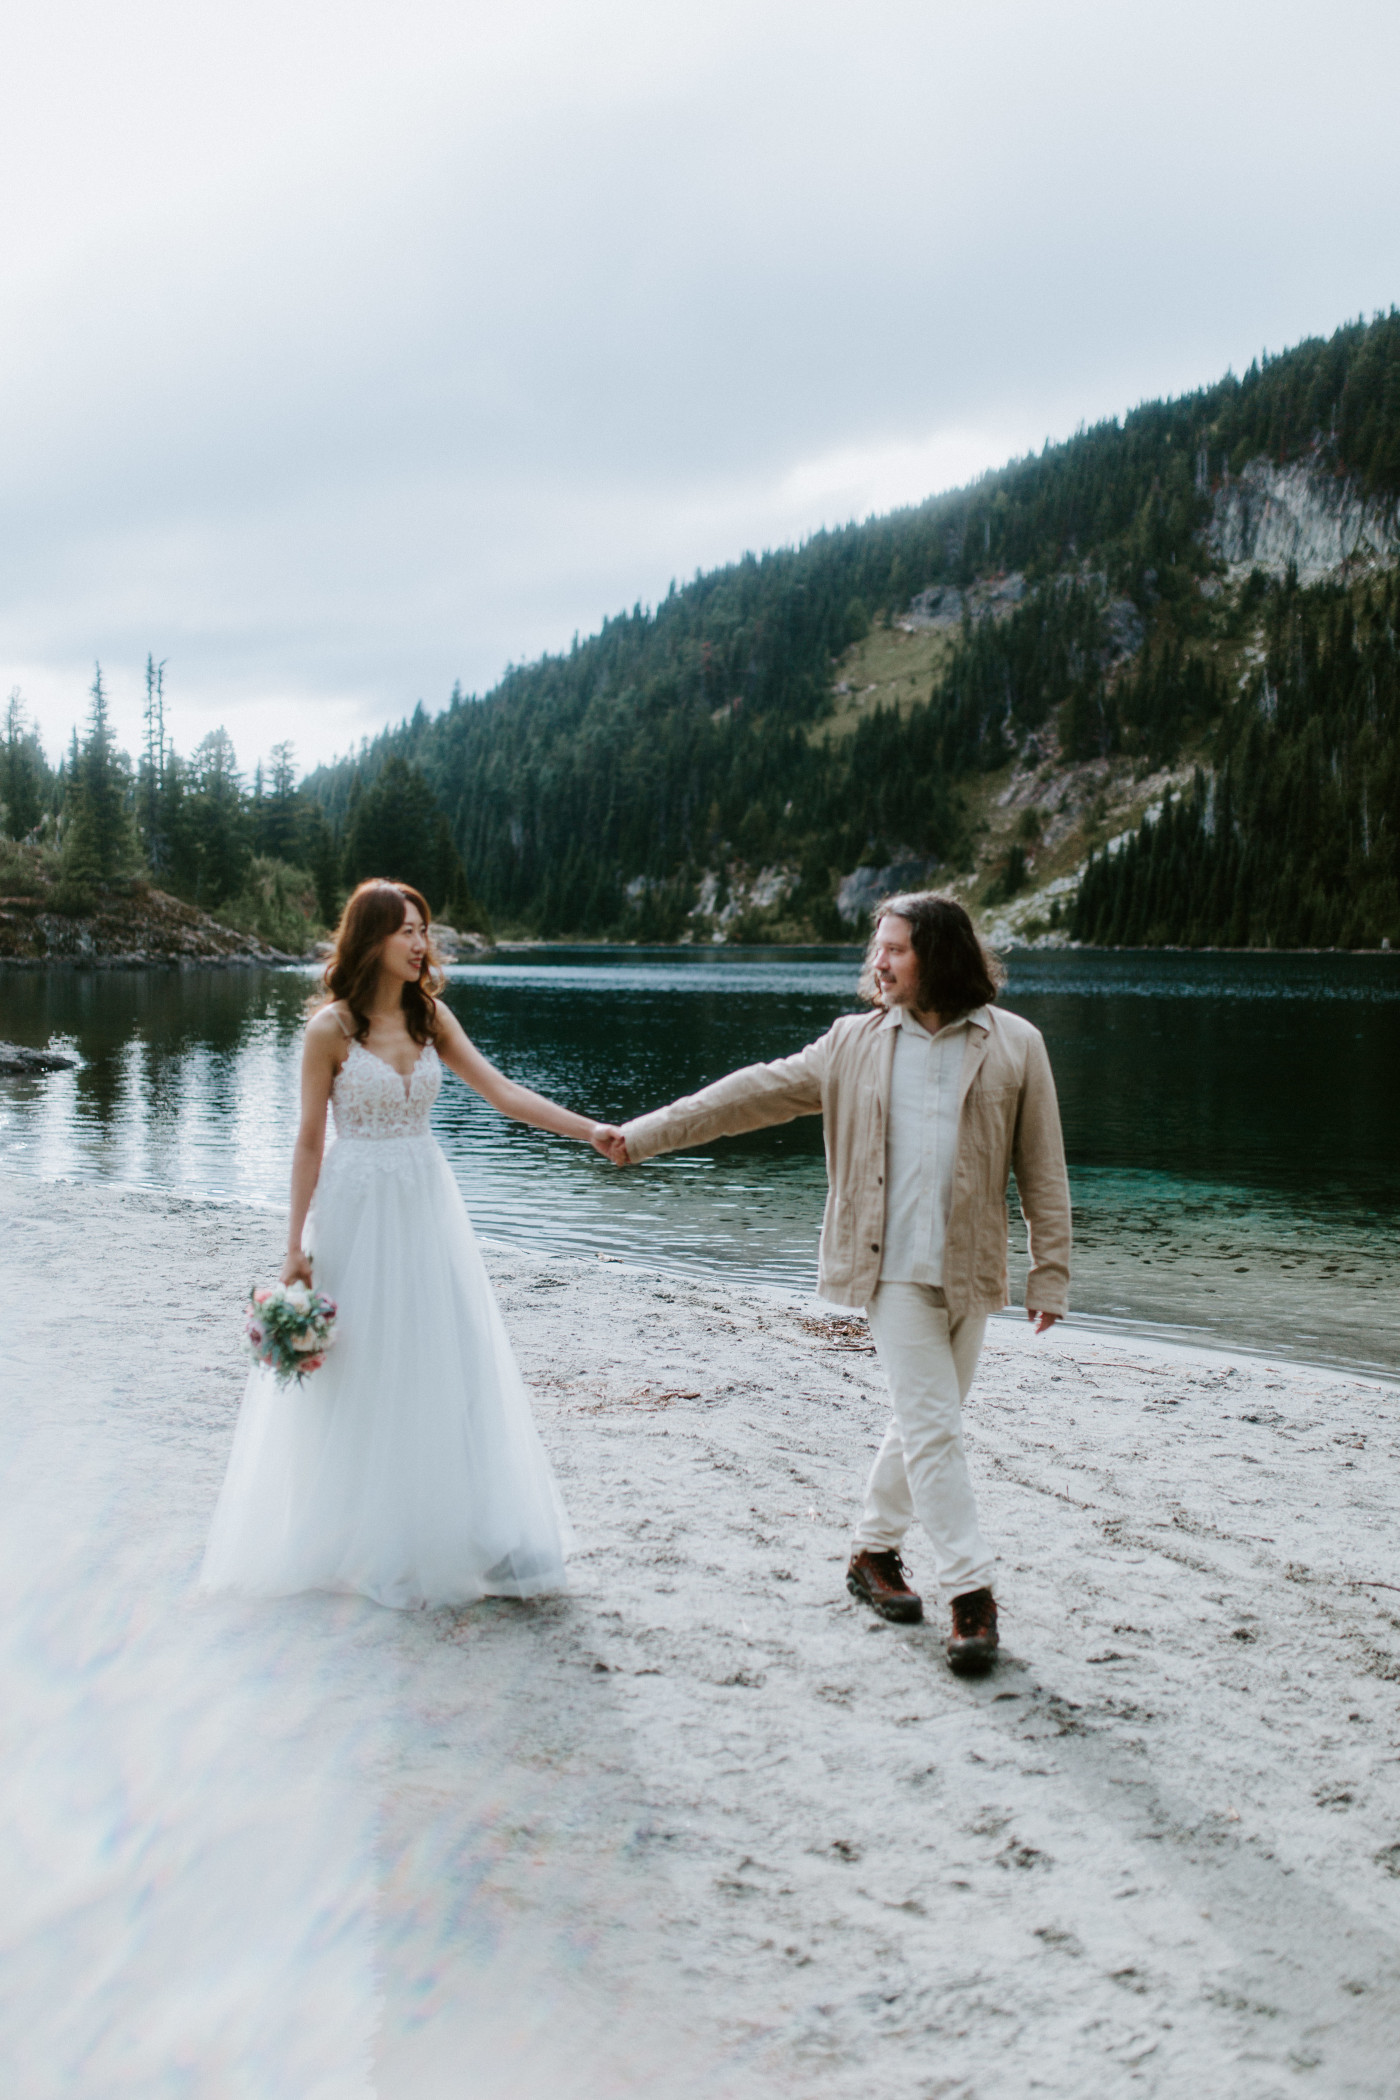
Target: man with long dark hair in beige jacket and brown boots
[[929, 1104]]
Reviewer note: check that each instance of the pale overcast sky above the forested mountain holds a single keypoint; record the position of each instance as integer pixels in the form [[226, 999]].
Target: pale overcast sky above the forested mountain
[[352, 350]]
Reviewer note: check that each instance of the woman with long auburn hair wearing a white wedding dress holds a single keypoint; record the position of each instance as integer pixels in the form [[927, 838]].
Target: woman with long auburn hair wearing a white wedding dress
[[410, 1467]]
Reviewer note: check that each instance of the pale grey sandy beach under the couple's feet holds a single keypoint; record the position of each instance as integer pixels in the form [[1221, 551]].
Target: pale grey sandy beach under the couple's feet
[[702, 1828]]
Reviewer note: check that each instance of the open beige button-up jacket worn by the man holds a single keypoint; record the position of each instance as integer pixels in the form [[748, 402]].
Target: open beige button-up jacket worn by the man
[[1009, 1125]]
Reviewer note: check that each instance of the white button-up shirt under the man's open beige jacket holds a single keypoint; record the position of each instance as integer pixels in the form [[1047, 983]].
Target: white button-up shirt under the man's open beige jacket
[[922, 1148]]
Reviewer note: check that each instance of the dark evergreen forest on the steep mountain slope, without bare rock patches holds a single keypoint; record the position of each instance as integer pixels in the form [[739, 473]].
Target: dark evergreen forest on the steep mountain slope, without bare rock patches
[[683, 751]]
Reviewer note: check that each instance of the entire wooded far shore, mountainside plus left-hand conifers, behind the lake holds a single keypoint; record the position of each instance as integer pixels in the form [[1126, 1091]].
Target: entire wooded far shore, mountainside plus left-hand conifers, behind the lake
[[1137, 688]]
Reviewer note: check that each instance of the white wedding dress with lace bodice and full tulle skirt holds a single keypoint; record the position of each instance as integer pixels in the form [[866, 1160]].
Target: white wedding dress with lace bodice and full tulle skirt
[[410, 1467]]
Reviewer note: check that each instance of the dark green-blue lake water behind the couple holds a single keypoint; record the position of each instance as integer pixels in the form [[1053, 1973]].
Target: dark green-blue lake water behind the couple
[[1233, 1122]]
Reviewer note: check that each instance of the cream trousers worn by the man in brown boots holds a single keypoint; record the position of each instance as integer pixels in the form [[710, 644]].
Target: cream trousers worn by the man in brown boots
[[922, 1467]]
